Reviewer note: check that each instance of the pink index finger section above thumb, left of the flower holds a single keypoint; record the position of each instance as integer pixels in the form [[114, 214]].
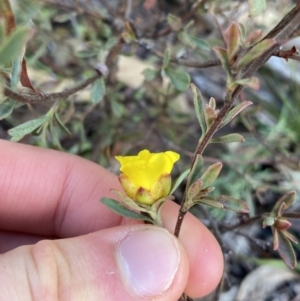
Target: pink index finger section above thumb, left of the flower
[[46, 192]]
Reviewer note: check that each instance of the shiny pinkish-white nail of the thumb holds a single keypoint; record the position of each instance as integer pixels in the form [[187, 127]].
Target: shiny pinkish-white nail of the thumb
[[148, 260]]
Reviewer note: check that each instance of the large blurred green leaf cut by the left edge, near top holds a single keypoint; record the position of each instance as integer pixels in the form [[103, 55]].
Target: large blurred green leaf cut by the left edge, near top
[[12, 46]]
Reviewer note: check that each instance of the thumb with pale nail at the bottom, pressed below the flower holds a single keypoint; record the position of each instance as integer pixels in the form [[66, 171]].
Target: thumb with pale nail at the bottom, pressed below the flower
[[137, 262]]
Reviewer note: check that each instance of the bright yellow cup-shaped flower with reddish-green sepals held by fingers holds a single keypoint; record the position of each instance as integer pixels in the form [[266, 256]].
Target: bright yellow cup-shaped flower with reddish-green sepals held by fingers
[[146, 177]]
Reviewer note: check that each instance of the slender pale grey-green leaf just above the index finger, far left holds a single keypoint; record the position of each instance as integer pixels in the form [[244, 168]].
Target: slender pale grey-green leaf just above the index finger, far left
[[27, 127]]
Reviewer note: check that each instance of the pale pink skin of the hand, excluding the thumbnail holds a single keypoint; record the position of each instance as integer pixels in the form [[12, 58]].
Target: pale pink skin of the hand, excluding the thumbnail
[[58, 242]]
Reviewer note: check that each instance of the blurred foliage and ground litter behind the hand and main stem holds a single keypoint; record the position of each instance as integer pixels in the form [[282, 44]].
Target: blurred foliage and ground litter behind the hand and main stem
[[144, 100]]
